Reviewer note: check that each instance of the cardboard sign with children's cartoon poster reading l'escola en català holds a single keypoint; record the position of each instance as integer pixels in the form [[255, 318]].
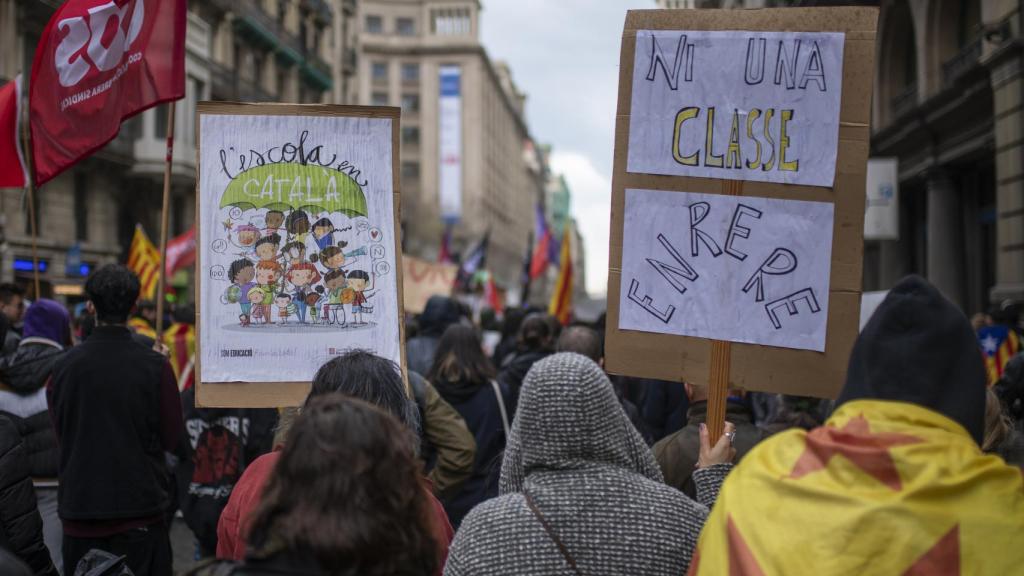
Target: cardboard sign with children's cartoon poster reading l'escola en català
[[297, 213]]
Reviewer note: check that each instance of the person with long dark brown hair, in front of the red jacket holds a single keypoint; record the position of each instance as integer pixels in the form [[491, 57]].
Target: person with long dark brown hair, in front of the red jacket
[[344, 500]]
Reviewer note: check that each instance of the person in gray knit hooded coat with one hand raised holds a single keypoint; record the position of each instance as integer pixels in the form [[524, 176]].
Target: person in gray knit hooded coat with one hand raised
[[581, 492]]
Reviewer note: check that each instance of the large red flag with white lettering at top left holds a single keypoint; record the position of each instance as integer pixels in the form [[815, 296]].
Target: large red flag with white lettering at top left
[[98, 63]]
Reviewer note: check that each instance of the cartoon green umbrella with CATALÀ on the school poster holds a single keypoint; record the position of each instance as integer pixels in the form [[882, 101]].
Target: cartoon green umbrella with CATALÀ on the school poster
[[291, 186]]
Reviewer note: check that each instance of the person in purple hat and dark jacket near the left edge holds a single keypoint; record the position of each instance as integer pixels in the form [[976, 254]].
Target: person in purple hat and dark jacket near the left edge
[[46, 336]]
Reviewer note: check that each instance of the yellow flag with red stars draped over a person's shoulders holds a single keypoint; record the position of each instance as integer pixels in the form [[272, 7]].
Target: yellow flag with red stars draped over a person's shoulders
[[883, 488]]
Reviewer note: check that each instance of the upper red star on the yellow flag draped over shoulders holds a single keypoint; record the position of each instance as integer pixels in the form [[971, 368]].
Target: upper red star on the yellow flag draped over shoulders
[[856, 441]]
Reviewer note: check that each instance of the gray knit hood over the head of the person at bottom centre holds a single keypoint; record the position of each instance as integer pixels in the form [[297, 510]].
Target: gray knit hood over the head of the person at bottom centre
[[569, 419]]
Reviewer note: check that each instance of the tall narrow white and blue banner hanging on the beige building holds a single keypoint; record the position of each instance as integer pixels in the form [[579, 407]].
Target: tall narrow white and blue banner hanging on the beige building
[[450, 131]]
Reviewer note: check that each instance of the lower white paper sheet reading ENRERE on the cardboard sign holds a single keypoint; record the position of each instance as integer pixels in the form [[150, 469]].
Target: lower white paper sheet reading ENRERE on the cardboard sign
[[728, 268]]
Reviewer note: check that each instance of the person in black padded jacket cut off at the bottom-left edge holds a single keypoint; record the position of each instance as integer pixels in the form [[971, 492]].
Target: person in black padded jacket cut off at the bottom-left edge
[[21, 526]]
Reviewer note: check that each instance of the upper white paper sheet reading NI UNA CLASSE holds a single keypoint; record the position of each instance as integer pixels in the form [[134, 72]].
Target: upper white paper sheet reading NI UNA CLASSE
[[744, 106]]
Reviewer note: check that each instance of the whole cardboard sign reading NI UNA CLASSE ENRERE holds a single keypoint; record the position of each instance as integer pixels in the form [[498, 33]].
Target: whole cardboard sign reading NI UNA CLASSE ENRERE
[[680, 222]]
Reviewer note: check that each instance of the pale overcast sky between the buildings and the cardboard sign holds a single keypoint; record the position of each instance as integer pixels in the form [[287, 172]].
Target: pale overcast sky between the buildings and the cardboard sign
[[565, 55]]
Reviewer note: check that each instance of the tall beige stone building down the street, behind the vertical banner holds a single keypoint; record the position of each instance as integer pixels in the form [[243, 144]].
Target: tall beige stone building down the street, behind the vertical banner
[[404, 46]]
